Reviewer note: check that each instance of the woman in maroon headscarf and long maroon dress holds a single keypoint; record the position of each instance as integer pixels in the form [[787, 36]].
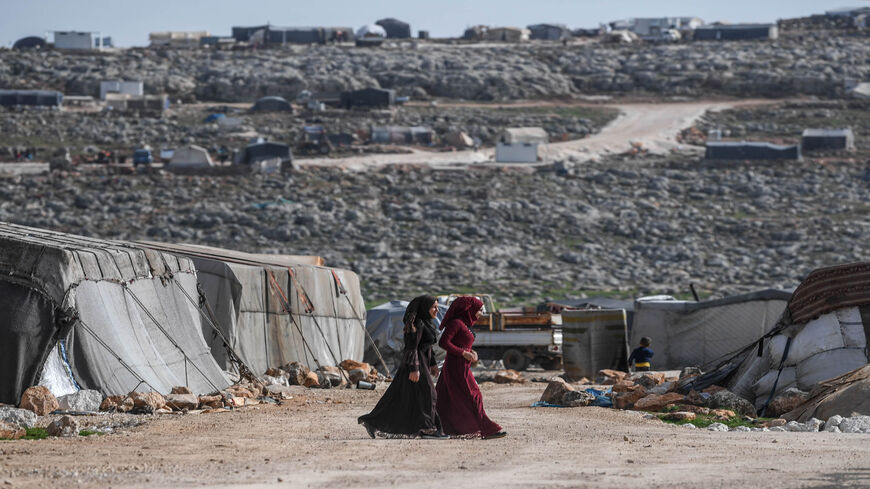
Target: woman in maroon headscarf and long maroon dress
[[459, 401]]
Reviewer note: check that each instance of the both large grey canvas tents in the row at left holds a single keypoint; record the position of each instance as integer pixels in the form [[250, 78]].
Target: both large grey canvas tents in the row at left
[[115, 316]]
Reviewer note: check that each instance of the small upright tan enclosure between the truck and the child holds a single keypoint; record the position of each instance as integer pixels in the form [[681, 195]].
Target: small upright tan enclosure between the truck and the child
[[592, 340]]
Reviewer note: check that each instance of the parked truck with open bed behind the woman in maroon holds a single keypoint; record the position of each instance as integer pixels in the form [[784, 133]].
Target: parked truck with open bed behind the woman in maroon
[[517, 338]]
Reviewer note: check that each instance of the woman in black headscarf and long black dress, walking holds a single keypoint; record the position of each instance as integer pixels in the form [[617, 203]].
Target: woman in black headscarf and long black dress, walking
[[408, 405]]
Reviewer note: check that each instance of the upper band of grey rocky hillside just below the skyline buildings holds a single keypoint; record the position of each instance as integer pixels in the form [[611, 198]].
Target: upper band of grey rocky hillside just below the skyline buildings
[[800, 63]]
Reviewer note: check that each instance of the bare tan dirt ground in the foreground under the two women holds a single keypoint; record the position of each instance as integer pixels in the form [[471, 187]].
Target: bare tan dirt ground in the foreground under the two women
[[314, 441]]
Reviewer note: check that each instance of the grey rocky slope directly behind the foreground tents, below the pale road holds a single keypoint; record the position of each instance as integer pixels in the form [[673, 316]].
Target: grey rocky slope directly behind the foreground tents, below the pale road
[[635, 226]]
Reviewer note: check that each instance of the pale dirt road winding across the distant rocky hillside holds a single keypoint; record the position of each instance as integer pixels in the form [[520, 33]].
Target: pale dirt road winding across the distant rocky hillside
[[654, 126]]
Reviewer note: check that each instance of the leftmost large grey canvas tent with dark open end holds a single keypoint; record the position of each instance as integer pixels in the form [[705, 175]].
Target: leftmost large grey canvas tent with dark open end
[[95, 314]]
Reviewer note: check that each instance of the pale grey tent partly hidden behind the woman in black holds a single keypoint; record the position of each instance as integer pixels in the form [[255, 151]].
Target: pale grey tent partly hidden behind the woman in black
[[384, 324]]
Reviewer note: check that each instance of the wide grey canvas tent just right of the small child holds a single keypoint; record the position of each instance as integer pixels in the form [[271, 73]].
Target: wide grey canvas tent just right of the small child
[[688, 334]]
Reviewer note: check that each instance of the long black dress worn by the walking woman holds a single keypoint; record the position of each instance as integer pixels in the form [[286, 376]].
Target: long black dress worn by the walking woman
[[408, 408]]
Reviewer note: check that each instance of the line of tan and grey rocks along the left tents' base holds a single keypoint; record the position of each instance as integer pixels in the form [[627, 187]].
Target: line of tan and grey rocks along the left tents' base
[[276, 384]]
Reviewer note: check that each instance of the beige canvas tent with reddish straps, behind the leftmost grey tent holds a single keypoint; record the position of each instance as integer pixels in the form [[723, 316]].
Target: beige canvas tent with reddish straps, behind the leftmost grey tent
[[276, 309]]
